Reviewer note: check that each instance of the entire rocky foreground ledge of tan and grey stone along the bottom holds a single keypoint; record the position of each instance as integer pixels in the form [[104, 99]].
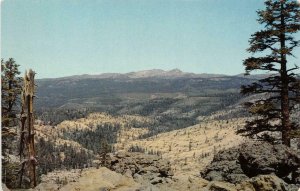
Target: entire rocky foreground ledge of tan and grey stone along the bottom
[[250, 167]]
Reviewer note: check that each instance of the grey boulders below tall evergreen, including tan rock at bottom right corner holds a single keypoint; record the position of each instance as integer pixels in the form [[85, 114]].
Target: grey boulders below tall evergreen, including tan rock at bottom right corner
[[257, 166]]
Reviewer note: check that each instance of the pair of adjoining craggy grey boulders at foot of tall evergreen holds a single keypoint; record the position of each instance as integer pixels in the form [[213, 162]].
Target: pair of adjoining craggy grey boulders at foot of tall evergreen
[[252, 159]]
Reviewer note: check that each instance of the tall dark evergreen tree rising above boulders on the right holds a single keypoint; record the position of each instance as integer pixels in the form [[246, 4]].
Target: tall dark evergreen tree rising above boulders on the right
[[278, 92]]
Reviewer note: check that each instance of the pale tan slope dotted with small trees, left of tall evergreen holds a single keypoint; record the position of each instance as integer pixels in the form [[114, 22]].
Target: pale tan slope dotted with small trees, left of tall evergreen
[[189, 150]]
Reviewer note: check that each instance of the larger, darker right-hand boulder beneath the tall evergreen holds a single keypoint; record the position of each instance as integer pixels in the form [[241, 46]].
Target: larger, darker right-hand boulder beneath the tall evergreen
[[264, 158]]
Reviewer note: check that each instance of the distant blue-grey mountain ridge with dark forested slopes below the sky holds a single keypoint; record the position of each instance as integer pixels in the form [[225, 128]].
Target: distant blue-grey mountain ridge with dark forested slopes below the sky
[[157, 93]]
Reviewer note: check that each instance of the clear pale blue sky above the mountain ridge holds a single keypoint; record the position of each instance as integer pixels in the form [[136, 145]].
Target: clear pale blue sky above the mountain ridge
[[67, 37]]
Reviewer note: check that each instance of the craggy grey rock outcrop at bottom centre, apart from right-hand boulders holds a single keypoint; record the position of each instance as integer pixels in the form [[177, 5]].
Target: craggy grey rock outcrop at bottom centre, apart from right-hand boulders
[[150, 167]]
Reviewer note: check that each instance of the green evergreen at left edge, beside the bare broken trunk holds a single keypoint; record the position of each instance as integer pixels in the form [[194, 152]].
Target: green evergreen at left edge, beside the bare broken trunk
[[10, 92]]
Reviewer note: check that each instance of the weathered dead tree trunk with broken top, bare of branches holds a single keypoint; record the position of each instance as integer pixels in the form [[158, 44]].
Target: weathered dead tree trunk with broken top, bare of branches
[[27, 149]]
